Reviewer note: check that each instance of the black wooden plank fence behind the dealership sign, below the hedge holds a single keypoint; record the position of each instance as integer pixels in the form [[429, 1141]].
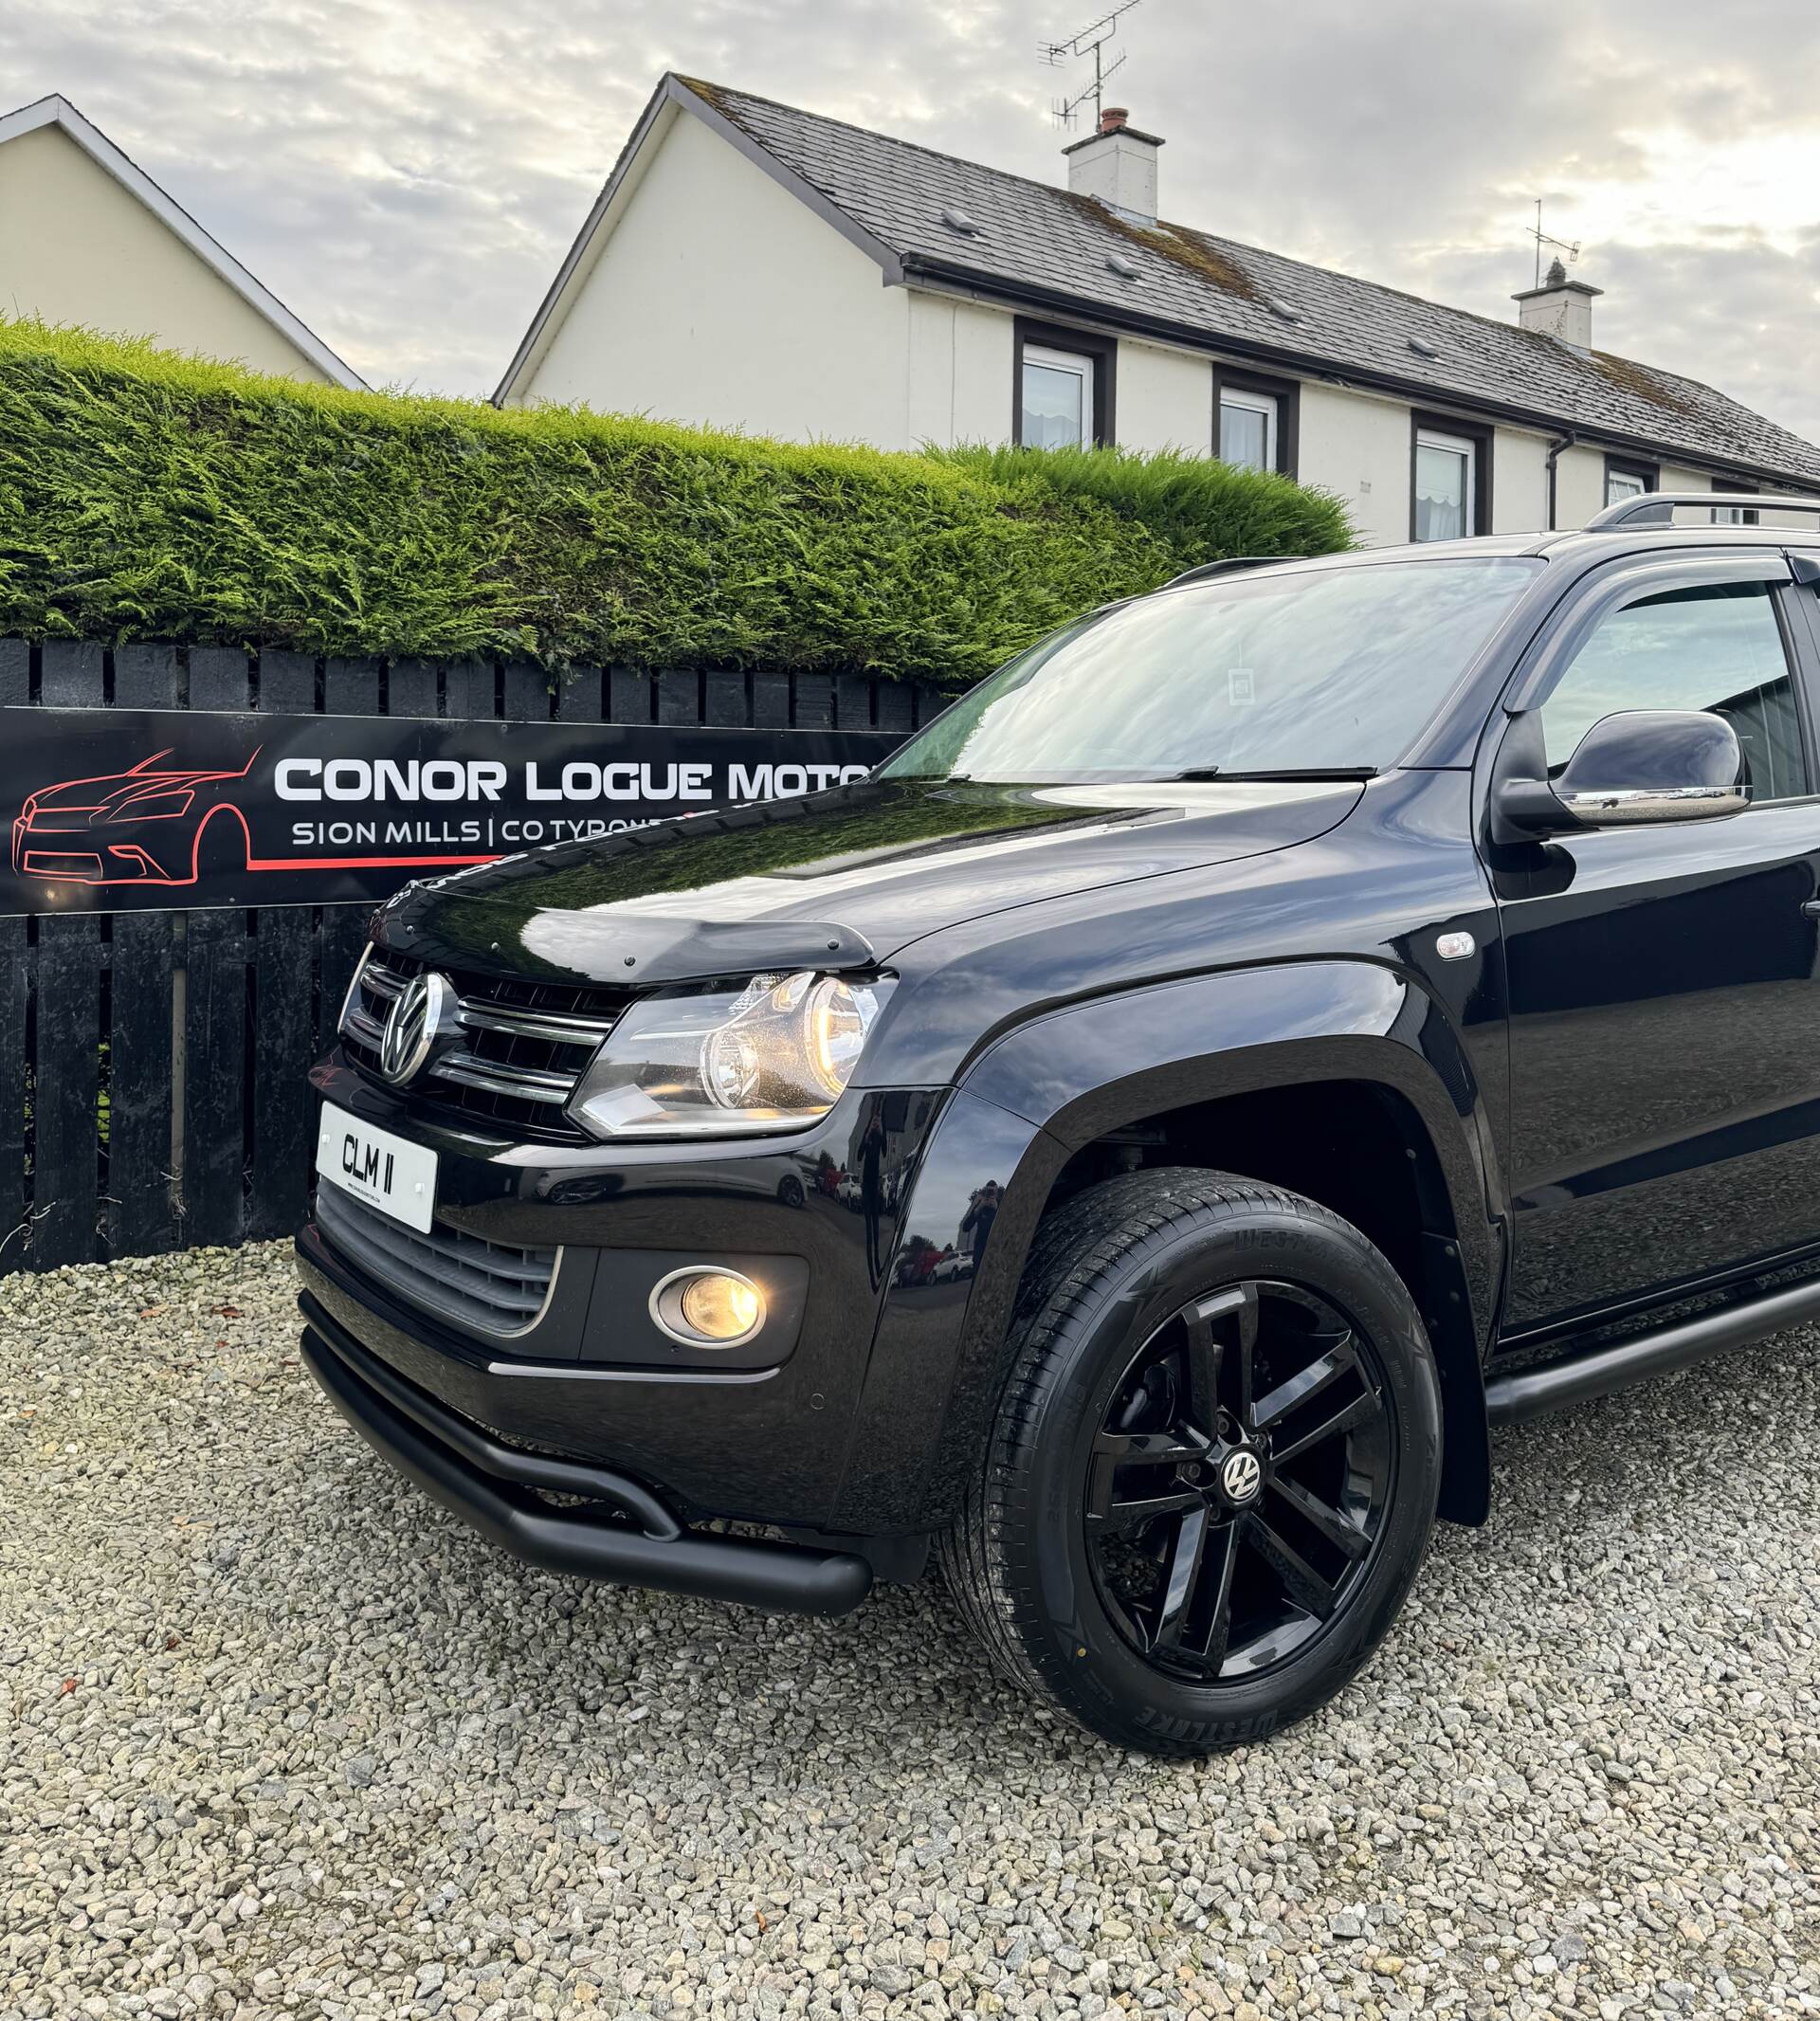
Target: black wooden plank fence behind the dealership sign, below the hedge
[[153, 1064]]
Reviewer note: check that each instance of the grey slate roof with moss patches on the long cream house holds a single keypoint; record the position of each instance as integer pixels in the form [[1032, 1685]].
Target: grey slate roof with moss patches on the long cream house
[[1045, 242]]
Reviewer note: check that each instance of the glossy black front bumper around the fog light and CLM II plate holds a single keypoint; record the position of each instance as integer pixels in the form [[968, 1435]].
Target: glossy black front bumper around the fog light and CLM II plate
[[765, 1436]]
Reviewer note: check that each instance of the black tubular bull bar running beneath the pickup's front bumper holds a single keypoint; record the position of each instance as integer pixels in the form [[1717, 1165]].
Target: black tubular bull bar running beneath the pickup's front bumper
[[500, 1493]]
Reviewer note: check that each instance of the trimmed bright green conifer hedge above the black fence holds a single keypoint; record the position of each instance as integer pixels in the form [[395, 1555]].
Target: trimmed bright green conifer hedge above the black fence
[[148, 496]]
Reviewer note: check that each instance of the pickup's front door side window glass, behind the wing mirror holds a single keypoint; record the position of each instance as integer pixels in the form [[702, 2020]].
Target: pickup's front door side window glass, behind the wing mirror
[[1712, 648]]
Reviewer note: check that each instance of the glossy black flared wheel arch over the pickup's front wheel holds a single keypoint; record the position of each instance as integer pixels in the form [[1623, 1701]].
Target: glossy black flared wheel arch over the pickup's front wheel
[[1352, 1050]]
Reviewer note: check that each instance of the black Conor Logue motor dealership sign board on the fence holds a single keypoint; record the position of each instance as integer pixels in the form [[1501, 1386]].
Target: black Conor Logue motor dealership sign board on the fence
[[130, 809]]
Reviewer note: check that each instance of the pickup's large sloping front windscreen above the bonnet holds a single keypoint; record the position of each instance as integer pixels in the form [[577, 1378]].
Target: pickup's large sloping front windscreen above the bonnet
[[1308, 672]]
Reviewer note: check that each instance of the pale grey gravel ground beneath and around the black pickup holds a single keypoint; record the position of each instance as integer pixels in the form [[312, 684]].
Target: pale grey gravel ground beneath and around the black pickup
[[280, 1739]]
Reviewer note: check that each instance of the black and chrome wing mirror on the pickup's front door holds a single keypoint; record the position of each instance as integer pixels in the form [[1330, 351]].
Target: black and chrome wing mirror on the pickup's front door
[[1631, 769]]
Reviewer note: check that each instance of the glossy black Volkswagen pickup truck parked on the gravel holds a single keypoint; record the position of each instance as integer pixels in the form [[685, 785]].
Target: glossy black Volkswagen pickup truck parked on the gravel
[[1140, 1139]]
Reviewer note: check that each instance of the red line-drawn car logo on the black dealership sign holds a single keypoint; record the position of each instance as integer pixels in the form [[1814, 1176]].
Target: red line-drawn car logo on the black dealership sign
[[112, 828]]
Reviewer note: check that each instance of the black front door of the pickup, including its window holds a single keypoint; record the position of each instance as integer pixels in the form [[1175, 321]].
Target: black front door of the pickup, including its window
[[1665, 1074]]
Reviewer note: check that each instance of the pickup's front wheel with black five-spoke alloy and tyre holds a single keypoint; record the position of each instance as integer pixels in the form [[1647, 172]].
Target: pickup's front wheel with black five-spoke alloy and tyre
[[1213, 1470]]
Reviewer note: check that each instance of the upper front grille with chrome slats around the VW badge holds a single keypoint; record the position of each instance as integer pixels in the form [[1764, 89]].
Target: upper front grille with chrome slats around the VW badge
[[526, 1044]]
